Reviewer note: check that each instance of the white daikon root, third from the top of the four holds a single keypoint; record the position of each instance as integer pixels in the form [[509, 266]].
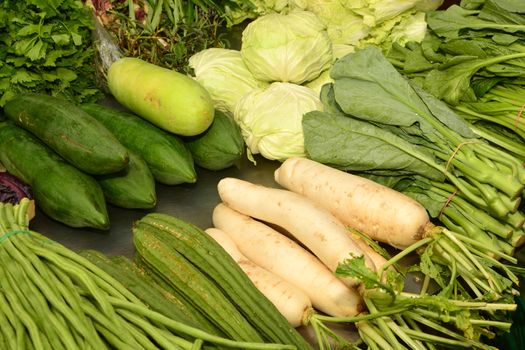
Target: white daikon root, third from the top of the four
[[285, 258]]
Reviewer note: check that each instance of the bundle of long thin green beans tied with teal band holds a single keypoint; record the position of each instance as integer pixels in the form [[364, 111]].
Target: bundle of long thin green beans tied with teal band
[[53, 298]]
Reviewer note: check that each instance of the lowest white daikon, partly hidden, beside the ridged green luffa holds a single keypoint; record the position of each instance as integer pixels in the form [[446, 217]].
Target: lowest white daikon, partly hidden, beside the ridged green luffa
[[291, 301]]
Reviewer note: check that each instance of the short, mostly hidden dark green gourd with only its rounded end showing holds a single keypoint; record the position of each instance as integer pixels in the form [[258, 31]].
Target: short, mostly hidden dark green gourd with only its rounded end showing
[[133, 187]]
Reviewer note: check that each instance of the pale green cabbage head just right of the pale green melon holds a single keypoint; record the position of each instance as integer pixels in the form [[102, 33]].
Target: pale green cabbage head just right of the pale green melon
[[223, 73]]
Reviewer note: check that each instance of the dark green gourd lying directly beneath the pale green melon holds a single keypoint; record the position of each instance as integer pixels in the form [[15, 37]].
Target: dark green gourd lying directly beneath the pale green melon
[[166, 154]]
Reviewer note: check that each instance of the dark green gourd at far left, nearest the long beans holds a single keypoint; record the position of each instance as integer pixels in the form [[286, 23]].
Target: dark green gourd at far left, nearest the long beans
[[62, 191]]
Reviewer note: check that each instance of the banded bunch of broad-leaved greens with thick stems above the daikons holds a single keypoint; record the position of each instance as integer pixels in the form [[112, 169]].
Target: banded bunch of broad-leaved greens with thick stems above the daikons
[[377, 122]]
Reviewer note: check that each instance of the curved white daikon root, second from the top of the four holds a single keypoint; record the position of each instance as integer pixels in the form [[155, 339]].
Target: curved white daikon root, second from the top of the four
[[308, 222]]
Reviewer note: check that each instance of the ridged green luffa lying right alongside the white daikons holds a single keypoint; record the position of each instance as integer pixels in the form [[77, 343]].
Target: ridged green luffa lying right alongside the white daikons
[[208, 256]]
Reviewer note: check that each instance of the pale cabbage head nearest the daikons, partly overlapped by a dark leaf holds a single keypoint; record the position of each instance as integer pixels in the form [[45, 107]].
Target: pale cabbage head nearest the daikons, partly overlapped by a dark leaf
[[271, 119]]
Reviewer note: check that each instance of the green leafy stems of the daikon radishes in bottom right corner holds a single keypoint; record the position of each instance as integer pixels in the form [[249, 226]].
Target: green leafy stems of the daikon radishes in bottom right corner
[[397, 318]]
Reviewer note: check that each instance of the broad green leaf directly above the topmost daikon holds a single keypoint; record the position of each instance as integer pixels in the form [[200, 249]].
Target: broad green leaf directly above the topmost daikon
[[356, 145]]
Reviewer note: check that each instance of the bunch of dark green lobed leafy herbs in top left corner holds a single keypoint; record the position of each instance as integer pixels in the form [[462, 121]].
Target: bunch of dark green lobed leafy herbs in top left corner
[[45, 46]]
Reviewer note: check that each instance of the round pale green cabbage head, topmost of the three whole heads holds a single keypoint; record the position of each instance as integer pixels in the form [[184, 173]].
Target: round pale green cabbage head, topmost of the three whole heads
[[291, 48]]
